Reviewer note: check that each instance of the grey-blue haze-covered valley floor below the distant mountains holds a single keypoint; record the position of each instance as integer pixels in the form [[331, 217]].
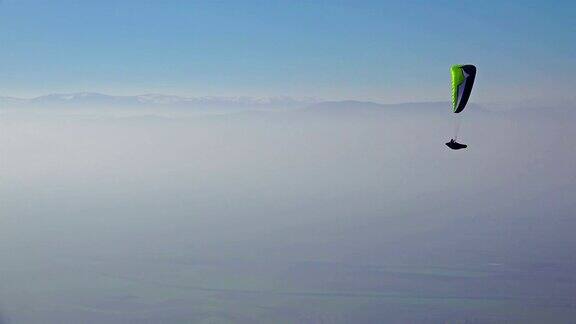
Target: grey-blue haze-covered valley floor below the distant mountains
[[287, 217]]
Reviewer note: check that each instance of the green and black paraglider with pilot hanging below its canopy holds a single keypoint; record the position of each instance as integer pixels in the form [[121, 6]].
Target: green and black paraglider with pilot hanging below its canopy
[[462, 82]]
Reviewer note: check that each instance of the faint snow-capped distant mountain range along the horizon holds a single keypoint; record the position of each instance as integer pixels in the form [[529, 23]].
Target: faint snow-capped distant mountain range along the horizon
[[91, 100]]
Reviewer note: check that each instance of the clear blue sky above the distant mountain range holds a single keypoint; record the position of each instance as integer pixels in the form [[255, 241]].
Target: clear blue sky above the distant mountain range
[[390, 51]]
